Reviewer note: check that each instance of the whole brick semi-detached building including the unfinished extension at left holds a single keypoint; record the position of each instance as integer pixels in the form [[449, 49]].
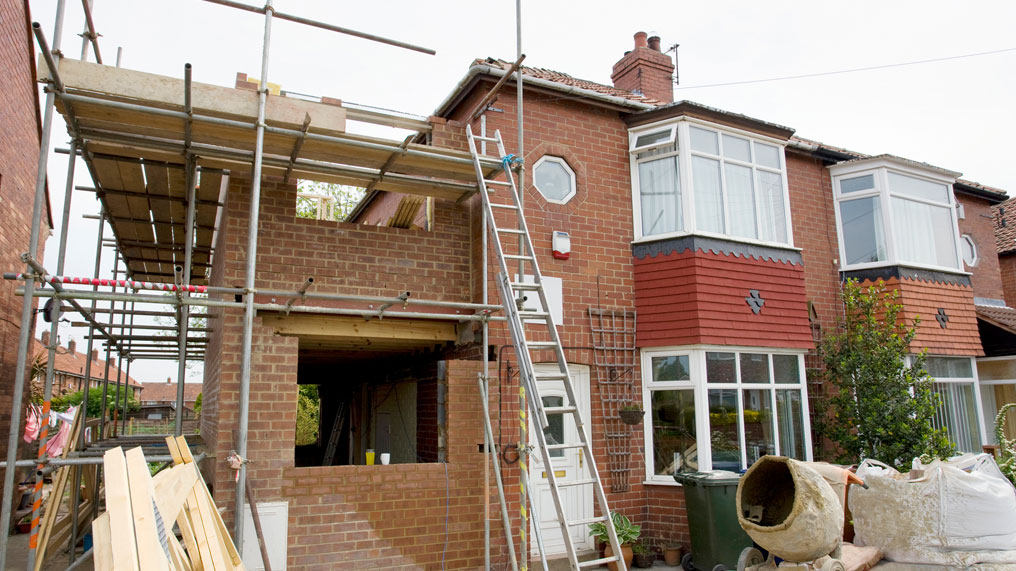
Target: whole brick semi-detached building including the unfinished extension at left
[[690, 255]]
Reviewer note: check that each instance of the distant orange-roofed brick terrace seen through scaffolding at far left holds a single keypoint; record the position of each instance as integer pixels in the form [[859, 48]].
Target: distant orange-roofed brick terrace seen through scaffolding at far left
[[70, 369]]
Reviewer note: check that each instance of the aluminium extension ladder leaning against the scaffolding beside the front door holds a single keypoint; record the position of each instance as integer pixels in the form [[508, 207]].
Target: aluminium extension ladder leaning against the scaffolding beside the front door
[[526, 326]]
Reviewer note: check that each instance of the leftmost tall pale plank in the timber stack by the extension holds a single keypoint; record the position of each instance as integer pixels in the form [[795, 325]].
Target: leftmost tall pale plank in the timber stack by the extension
[[118, 505]]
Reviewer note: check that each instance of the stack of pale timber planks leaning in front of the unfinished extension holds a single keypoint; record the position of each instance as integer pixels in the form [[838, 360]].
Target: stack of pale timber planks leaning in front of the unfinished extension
[[137, 532]]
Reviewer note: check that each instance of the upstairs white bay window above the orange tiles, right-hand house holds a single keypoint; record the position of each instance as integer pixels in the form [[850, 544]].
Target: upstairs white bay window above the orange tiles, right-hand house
[[896, 215]]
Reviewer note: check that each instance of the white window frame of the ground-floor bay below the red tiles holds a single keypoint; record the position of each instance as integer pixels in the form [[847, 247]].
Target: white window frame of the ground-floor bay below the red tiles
[[700, 385]]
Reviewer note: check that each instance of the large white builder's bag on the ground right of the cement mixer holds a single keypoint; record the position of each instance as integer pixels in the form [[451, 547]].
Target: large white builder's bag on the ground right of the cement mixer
[[960, 513]]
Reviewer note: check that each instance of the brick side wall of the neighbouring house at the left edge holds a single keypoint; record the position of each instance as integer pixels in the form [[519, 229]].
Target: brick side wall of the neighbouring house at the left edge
[[21, 129]]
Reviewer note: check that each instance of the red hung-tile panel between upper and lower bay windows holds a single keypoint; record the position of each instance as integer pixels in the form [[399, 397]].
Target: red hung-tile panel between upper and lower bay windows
[[700, 298]]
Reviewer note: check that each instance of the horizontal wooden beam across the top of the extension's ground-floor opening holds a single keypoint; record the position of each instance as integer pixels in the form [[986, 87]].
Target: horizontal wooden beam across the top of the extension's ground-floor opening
[[356, 328]]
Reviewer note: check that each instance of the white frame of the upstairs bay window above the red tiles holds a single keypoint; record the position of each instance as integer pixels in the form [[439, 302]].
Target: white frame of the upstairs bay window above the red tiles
[[682, 139]]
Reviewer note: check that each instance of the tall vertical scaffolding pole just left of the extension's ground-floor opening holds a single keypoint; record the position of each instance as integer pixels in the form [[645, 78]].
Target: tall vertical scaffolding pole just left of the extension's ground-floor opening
[[252, 231]]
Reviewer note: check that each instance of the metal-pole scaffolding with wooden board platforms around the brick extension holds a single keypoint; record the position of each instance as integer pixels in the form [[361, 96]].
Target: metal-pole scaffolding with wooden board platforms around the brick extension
[[160, 153]]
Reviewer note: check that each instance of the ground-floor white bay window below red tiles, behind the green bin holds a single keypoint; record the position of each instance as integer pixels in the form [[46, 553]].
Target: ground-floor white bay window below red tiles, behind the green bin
[[722, 410]]
